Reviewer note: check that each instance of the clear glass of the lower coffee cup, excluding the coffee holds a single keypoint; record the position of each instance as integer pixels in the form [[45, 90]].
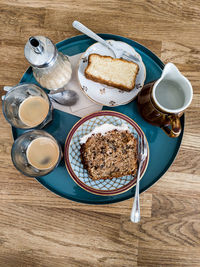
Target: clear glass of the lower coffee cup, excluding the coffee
[[19, 153]]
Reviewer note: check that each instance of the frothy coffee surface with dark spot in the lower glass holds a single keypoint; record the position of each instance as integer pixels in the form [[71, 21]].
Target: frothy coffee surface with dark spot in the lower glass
[[43, 153]]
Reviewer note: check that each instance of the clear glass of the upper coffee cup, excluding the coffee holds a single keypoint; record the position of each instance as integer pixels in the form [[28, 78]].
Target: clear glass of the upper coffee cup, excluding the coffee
[[13, 99]]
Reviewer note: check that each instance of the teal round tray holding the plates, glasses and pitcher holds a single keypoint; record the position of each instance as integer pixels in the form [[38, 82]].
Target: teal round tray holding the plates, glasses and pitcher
[[163, 149]]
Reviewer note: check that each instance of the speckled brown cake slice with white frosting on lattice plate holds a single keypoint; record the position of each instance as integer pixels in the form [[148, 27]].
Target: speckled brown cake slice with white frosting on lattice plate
[[109, 151]]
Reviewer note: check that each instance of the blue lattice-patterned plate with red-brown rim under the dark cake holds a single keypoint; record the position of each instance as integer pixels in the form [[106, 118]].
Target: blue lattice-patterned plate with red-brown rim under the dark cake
[[73, 163]]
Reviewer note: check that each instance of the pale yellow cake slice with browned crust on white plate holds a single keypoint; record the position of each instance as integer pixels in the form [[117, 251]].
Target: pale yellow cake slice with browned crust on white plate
[[114, 72]]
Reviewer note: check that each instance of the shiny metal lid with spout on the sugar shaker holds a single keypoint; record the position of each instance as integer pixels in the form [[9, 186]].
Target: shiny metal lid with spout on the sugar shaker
[[40, 51]]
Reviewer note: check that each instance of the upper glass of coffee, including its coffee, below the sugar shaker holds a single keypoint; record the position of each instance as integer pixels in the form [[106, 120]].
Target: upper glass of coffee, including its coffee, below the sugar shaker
[[27, 106]]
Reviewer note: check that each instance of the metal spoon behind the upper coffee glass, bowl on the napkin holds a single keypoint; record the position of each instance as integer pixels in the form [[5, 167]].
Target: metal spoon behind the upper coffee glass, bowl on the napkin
[[65, 98]]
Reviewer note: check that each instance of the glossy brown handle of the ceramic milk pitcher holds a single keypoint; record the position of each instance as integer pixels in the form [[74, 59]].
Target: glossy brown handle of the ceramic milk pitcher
[[175, 129]]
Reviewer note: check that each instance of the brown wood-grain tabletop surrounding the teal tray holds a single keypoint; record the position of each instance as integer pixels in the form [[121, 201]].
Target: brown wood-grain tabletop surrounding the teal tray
[[38, 228]]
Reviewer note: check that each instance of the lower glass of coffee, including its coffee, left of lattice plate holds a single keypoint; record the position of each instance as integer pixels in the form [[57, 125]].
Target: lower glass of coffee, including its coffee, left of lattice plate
[[36, 153]]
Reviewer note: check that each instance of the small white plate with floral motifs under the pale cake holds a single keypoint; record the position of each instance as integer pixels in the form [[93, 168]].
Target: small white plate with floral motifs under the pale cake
[[107, 95]]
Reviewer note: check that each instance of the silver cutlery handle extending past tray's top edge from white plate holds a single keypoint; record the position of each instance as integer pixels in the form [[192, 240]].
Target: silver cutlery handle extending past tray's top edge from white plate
[[80, 27]]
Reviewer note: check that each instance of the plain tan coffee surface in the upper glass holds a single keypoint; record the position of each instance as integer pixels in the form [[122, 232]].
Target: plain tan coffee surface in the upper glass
[[33, 110]]
